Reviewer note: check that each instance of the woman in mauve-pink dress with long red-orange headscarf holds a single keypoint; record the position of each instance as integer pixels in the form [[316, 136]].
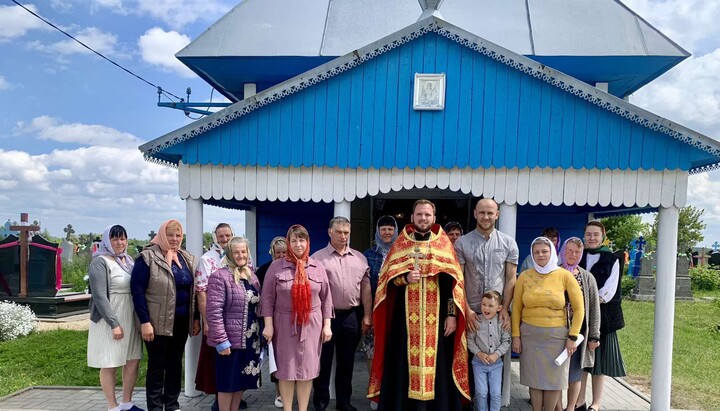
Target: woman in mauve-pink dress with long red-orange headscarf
[[296, 306]]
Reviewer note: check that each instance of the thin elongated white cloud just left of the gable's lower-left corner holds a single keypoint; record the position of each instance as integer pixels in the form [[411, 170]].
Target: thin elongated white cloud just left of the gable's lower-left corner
[[50, 128]]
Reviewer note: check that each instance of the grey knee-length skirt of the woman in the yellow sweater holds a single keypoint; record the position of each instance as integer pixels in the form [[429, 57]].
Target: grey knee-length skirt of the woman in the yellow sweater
[[540, 347]]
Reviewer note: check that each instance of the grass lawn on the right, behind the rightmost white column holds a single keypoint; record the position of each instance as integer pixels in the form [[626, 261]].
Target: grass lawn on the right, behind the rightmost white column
[[696, 358]]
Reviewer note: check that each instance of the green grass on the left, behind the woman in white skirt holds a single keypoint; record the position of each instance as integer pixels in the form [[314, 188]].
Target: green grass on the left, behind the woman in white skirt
[[49, 358]]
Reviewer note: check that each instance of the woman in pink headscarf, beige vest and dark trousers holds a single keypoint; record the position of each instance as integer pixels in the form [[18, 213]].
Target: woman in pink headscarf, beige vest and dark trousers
[[164, 298]]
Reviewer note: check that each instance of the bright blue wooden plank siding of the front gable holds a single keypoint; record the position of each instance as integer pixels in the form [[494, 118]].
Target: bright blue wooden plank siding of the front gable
[[495, 116]]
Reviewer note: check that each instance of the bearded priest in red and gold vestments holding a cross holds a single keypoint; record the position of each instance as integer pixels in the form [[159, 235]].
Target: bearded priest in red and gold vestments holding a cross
[[421, 360]]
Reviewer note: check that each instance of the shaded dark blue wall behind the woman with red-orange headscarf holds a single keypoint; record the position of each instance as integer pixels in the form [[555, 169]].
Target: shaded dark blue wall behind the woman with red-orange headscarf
[[274, 219]]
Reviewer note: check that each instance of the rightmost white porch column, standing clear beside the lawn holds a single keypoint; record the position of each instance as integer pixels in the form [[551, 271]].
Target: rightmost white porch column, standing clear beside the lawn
[[664, 307]]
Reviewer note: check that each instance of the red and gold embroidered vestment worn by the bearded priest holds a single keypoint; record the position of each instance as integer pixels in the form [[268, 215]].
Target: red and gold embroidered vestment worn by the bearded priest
[[423, 306]]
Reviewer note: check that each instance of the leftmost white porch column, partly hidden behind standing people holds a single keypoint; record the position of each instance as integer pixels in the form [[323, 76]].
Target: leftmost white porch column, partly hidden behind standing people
[[193, 228]]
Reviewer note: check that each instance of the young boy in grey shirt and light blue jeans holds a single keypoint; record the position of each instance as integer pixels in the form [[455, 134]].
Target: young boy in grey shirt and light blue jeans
[[488, 344]]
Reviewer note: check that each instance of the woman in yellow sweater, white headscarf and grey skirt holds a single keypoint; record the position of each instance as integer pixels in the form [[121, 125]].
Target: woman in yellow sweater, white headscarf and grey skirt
[[540, 324]]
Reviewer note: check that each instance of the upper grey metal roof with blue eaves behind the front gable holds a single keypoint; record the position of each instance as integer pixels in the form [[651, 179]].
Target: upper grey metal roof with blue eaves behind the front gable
[[269, 41]]
